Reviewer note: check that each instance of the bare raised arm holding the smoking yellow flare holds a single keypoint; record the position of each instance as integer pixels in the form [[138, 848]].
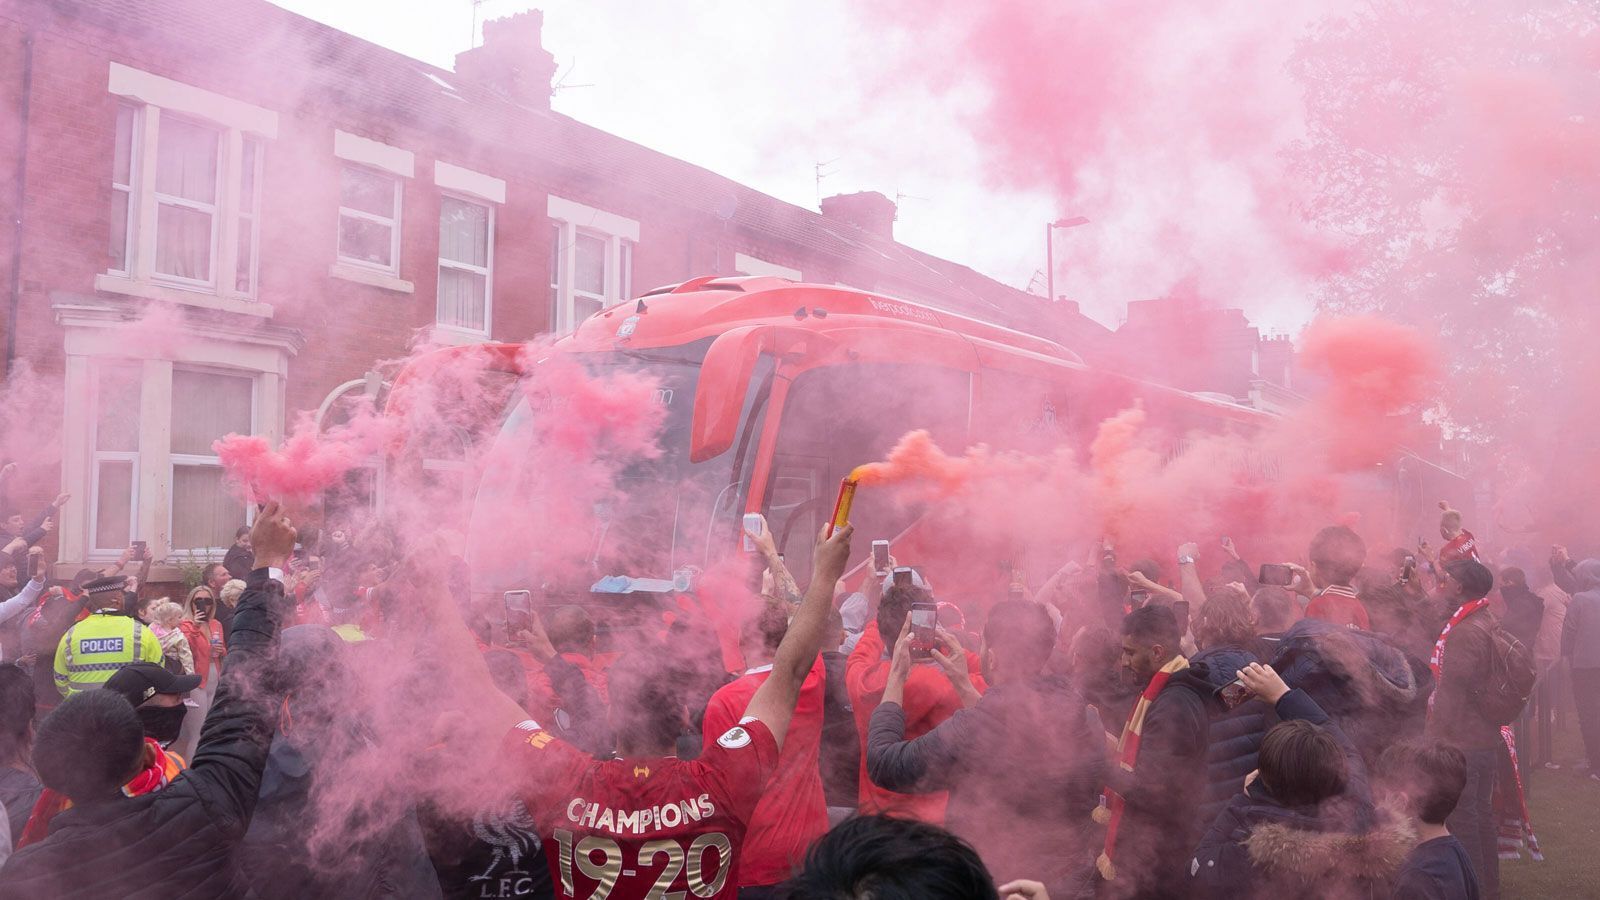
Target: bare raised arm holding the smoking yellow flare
[[775, 701]]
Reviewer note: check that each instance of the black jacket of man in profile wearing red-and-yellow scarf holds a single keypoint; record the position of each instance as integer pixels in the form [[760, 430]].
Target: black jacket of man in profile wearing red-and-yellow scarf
[[1164, 792]]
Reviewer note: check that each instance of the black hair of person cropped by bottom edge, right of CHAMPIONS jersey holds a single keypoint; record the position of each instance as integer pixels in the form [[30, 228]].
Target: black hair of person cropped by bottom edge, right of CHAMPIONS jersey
[[881, 858]]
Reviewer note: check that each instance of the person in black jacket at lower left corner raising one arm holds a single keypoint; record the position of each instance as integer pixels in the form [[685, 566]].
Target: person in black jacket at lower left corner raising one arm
[[177, 842]]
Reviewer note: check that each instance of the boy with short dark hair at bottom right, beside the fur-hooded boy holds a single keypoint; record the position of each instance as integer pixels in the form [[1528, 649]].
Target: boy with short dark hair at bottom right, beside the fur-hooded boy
[[1426, 781]]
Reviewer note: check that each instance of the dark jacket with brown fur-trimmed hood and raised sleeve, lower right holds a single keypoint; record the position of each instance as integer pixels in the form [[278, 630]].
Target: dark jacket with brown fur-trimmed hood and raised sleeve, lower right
[[1260, 850]]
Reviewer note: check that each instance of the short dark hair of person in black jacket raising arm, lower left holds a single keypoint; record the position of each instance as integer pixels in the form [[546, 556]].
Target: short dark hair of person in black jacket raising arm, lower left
[[89, 745]]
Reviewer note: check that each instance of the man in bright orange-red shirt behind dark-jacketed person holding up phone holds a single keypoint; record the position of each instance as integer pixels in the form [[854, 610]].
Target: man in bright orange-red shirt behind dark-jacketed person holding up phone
[[929, 701]]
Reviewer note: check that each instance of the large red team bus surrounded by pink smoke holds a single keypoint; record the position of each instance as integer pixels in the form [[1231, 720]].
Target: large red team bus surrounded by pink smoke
[[775, 390]]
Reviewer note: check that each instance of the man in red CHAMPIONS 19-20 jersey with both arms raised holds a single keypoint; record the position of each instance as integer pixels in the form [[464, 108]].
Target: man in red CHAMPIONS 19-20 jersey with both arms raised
[[647, 824]]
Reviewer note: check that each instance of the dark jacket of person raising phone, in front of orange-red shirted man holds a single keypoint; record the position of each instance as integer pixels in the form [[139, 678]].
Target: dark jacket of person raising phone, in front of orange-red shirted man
[[1023, 769]]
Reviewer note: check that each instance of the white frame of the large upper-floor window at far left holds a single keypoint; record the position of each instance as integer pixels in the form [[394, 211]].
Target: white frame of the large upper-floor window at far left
[[151, 98]]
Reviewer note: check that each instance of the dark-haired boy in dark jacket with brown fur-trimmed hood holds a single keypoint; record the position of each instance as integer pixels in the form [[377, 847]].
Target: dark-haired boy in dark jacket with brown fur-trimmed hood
[[1305, 822]]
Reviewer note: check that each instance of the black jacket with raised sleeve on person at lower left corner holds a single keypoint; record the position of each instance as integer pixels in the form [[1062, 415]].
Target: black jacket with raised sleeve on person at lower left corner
[[175, 843]]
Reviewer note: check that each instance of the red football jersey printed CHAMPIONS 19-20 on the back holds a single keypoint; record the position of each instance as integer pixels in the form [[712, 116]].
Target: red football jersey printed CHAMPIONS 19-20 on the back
[[644, 829]]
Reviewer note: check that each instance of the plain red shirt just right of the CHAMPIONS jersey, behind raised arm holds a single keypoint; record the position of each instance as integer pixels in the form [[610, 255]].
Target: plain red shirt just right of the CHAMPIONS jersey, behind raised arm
[[793, 813]]
